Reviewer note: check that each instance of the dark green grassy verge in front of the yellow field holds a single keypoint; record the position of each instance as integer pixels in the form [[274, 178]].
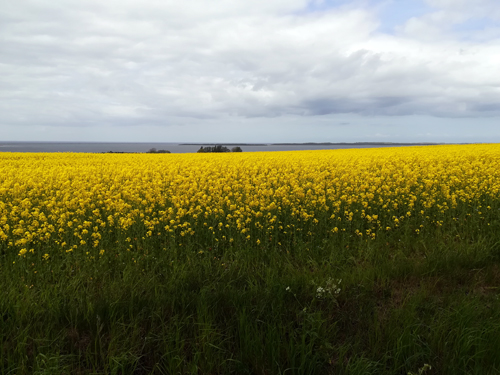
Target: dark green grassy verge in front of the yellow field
[[404, 301]]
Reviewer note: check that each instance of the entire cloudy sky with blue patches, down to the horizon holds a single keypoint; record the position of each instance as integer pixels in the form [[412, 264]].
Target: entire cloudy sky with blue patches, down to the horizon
[[250, 70]]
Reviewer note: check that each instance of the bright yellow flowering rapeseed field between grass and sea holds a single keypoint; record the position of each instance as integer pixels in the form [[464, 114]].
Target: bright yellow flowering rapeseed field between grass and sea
[[63, 203]]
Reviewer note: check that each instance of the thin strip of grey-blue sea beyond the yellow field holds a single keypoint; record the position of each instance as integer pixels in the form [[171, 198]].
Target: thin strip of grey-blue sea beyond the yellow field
[[97, 147]]
